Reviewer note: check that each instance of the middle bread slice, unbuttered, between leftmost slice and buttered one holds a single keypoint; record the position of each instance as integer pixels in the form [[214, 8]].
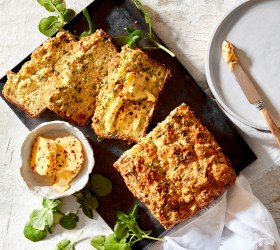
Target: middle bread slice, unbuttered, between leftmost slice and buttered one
[[78, 77]]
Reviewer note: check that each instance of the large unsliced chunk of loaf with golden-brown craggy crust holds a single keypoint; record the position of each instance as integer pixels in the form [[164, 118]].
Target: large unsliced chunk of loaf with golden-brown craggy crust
[[177, 169]]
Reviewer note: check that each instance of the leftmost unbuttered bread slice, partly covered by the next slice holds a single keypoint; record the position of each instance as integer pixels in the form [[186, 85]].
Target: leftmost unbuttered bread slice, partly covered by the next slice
[[25, 89]]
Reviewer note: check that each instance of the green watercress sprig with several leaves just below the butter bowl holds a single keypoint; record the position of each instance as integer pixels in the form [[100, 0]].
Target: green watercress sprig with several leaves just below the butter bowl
[[43, 220]]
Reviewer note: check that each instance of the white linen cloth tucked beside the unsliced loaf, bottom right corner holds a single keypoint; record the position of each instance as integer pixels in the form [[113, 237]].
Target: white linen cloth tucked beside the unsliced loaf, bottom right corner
[[238, 220]]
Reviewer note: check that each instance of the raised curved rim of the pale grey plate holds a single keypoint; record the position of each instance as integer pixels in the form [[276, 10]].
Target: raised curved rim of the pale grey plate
[[211, 84]]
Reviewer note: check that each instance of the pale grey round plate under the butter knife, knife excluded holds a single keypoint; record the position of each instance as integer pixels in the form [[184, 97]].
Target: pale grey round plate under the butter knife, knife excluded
[[254, 28]]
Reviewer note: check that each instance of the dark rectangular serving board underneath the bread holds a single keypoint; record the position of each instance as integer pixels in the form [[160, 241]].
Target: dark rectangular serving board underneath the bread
[[113, 17]]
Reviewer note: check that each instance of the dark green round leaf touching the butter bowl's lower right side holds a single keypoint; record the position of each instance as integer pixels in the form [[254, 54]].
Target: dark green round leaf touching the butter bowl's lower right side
[[101, 185]]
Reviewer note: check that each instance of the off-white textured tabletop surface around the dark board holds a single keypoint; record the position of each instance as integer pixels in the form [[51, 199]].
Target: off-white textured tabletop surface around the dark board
[[184, 26]]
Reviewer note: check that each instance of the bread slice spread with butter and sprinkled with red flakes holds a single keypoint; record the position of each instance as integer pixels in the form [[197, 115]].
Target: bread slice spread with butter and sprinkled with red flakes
[[126, 102]]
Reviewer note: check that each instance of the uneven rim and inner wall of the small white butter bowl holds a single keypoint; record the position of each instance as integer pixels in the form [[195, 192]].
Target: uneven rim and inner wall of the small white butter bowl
[[65, 128]]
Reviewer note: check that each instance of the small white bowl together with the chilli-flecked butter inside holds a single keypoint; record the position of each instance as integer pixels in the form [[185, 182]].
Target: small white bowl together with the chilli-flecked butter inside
[[57, 160]]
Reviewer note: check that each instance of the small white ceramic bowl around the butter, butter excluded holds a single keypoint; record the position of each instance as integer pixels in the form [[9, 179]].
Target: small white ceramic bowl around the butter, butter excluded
[[41, 185]]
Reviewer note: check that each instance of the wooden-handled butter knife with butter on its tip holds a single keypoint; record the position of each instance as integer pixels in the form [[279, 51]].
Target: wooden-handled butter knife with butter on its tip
[[249, 88]]
